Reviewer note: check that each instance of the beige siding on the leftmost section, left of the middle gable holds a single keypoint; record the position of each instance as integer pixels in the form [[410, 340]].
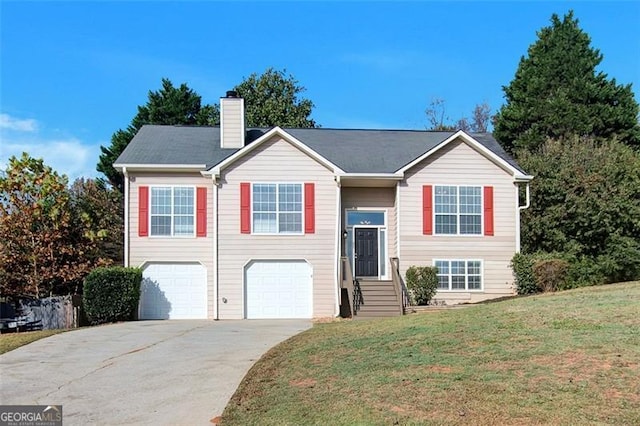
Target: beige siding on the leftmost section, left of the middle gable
[[143, 250]]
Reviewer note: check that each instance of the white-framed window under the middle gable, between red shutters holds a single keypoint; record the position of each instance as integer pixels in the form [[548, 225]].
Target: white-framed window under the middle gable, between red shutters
[[277, 208]]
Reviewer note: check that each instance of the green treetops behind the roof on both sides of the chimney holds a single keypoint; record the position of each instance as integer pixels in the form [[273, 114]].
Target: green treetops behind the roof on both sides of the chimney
[[271, 99]]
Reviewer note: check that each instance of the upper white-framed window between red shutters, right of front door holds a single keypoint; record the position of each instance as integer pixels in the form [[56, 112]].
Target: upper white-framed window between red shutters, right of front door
[[458, 210]]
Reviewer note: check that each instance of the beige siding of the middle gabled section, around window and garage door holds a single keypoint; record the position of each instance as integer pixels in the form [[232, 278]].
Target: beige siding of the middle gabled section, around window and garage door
[[276, 161]]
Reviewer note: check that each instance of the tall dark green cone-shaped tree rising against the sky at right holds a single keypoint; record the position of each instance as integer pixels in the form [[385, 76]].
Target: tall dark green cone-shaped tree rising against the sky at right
[[557, 93]]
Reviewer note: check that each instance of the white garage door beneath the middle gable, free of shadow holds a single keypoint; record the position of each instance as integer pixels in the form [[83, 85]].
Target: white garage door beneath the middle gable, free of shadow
[[278, 289]]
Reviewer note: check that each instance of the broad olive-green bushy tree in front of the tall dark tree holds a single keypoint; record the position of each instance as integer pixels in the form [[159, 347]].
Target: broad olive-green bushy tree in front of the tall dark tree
[[585, 203]]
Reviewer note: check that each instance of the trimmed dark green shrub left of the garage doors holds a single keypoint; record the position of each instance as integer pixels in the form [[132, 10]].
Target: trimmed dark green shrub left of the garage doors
[[112, 294]]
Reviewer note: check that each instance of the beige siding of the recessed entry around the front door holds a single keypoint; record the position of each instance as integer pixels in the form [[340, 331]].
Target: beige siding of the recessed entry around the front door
[[374, 199]]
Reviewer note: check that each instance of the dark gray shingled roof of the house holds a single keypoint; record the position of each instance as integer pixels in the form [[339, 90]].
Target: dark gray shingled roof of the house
[[354, 151]]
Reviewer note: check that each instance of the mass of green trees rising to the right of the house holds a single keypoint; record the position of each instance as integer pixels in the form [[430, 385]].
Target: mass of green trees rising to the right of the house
[[577, 132]]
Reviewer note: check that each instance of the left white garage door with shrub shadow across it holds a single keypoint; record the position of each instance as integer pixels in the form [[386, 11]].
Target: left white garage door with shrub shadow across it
[[173, 291]]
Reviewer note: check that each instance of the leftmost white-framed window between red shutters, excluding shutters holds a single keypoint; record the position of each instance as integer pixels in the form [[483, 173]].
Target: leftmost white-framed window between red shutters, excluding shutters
[[172, 211]]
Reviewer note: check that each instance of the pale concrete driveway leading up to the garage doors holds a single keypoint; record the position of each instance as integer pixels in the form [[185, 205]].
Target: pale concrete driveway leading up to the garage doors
[[146, 372]]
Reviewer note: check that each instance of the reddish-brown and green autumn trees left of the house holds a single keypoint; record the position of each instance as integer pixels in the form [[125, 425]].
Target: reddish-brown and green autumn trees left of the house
[[53, 235]]
